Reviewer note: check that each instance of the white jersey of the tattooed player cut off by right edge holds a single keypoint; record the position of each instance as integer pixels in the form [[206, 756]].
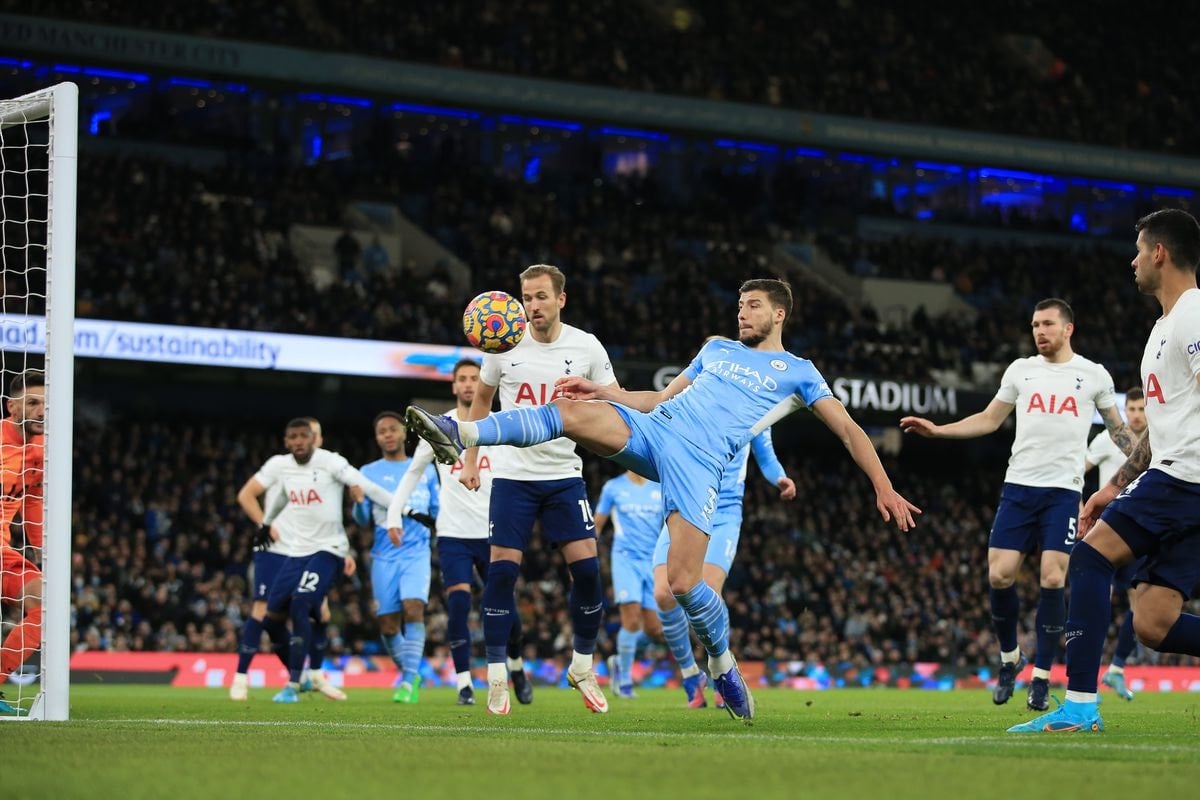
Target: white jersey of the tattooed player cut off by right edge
[[1169, 369]]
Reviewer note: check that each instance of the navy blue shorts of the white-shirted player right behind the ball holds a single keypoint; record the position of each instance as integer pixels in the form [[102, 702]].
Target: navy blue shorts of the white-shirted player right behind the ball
[[561, 506]]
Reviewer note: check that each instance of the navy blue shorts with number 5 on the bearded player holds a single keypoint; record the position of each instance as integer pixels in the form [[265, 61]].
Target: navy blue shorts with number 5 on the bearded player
[[1030, 518]]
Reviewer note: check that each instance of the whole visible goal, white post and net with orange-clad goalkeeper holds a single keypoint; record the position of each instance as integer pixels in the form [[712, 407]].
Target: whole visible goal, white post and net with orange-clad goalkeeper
[[39, 141]]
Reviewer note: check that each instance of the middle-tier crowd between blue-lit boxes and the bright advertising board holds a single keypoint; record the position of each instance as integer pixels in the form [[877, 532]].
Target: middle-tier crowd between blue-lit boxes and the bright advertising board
[[652, 276]]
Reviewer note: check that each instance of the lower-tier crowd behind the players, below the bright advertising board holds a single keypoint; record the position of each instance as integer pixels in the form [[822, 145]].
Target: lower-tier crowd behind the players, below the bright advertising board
[[161, 556]]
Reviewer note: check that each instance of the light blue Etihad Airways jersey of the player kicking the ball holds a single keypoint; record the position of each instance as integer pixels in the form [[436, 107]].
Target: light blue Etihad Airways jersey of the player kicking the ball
[[739, 393]]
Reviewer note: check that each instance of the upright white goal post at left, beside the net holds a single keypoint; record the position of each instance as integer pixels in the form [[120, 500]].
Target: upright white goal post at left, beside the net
[[61, 281]]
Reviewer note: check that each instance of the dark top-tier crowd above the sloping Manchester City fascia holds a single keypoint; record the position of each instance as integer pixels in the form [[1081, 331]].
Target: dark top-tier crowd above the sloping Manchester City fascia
[[1016, 67]]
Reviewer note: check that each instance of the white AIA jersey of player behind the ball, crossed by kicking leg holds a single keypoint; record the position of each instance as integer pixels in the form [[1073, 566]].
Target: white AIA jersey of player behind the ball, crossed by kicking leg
[[526, 377]]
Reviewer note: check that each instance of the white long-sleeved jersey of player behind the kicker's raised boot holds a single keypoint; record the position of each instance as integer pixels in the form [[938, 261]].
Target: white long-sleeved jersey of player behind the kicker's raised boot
[[463, 514]]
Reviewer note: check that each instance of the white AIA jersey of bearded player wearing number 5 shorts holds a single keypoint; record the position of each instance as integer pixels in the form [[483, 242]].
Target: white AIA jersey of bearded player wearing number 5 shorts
[[1055, 405]]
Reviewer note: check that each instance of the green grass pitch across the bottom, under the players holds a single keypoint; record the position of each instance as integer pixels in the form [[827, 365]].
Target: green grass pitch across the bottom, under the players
[[151, 742]]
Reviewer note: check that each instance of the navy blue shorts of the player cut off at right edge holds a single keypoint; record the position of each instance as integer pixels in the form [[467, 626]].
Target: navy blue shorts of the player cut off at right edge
[[1159, 516]]
